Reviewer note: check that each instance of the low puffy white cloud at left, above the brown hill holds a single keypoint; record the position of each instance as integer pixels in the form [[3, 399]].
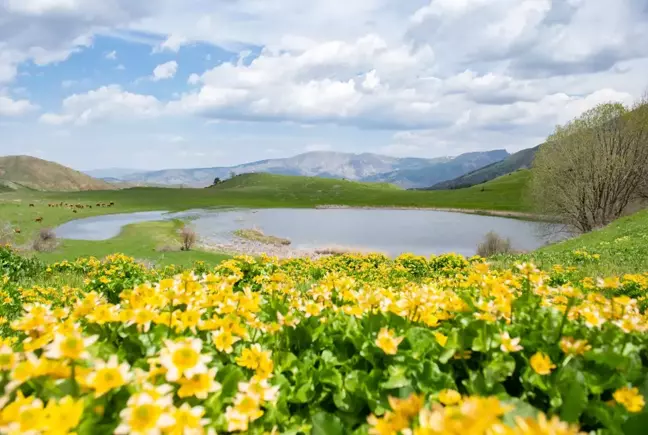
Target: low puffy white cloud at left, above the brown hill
[[105, 103]]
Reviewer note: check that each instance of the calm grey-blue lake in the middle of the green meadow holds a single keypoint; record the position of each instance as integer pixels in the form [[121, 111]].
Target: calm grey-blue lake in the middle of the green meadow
[[392, 232]]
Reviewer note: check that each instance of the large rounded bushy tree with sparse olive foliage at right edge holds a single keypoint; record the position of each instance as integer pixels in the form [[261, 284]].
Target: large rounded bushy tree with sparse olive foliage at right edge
[[590, 170]]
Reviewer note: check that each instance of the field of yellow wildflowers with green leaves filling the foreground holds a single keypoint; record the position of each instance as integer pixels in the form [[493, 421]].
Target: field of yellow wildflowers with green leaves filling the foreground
[[342, 345]]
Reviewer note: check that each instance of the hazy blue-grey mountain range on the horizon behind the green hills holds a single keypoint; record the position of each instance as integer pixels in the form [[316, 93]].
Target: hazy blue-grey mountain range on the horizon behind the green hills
[[405, 172]]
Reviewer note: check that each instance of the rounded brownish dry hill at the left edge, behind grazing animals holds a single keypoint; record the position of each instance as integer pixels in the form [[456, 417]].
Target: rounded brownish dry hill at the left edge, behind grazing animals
[[38, 174]]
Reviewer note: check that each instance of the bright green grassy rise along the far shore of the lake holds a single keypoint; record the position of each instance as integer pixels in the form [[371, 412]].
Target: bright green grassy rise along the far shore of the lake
[[266, 190]]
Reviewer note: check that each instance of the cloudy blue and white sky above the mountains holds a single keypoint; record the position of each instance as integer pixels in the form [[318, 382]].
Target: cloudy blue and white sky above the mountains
[[196, 83]]
